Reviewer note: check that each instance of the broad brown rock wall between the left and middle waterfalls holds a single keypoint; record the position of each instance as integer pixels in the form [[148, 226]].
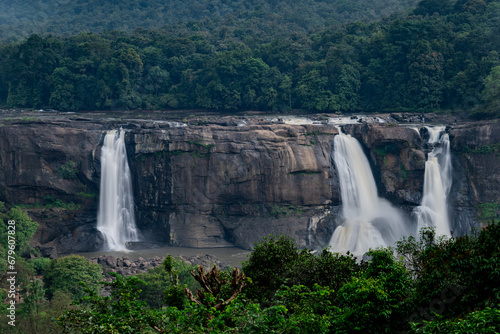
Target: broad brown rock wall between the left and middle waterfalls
[[213, 186]]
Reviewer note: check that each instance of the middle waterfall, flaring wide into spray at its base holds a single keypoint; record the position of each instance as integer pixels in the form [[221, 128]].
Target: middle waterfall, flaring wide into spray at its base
[[369, 221]]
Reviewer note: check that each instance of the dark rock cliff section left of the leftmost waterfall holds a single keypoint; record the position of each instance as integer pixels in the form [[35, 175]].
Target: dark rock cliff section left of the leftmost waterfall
[[31, 156]]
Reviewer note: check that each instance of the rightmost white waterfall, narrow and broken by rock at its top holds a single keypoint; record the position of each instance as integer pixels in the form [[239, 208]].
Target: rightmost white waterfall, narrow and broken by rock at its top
[[433, 211]]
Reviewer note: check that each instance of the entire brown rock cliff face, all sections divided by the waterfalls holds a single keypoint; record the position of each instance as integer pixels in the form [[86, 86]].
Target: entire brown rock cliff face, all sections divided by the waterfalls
[[220, 182]]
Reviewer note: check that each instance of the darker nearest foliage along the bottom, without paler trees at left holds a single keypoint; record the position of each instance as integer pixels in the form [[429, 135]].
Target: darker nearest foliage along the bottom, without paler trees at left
[[381, 295]]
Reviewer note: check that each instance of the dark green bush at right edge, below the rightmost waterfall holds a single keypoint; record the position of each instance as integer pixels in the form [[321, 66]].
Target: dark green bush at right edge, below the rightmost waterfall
[[457, 275]]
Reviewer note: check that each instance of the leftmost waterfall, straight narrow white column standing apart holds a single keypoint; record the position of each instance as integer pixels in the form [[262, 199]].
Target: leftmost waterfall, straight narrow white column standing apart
[[115, 217]]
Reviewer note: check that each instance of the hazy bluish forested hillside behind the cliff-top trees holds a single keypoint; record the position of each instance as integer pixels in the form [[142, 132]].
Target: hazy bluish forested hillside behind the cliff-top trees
[[264, 17]]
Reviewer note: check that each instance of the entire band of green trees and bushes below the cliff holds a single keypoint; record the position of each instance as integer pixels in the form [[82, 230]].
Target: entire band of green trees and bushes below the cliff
[[424, 285]]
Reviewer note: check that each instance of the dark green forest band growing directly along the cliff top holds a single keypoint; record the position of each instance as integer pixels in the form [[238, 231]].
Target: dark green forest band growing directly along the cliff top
[[439, 55]]
